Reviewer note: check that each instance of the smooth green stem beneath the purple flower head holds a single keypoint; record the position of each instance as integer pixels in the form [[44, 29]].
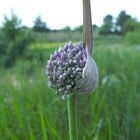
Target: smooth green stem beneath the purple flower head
[[72, 117]]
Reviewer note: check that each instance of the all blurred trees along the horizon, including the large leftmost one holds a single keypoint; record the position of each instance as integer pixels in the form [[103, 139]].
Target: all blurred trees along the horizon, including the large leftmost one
[[14, 37]]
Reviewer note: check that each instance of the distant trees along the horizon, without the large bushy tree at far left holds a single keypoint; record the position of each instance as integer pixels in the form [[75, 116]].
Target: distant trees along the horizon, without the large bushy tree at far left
[[120, 25]]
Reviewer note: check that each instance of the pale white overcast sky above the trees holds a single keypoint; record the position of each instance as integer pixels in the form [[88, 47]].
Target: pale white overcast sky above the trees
[[61, 13]]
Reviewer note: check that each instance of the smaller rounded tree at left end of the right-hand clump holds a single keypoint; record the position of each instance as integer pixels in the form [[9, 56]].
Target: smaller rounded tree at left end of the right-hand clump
[[107, 25]]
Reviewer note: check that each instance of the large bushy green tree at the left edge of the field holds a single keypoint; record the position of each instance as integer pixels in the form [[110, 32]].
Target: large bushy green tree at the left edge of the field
[[14, 40]]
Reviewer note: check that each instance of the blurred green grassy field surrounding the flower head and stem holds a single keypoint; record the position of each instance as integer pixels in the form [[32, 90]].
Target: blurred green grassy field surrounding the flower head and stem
[[29, 110]]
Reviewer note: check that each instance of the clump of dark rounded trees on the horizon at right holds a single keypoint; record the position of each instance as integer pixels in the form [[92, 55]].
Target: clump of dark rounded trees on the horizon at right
[[121, 25]]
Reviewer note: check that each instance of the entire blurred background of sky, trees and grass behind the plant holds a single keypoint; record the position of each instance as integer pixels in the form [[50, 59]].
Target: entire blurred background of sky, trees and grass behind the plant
[[30, 31]]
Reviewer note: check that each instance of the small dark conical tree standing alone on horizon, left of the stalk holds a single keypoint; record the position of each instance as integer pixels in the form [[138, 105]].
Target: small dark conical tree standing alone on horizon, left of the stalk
[[39, 25]]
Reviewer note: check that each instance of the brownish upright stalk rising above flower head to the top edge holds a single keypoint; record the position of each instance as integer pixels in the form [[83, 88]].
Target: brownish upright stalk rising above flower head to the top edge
[[87, 26]]
